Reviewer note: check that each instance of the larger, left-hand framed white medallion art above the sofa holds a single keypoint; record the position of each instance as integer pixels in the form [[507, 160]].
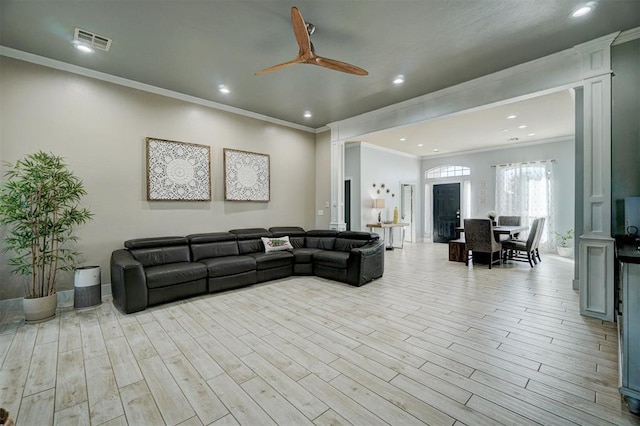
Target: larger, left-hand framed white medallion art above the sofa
[[178, 171]]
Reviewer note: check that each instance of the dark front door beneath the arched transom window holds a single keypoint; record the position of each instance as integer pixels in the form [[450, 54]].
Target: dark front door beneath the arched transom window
[[446, 211]]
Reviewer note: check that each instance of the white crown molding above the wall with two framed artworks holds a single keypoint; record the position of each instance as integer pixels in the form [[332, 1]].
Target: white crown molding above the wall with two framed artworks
[[86, 72]]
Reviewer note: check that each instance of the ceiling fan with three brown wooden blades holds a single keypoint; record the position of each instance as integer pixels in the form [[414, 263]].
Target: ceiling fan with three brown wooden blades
[[307, 54]]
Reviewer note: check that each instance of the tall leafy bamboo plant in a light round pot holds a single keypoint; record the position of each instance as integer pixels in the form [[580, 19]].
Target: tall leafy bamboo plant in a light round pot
[[39, 204]]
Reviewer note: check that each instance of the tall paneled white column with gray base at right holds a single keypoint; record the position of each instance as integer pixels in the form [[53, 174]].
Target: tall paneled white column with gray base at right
[[596, 278]]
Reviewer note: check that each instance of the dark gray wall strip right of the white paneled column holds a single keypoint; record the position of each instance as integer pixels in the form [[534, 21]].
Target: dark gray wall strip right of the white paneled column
[[625, 134]]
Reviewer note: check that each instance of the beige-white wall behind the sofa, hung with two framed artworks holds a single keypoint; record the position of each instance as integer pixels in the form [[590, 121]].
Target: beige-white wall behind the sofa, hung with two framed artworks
[[100, 129]]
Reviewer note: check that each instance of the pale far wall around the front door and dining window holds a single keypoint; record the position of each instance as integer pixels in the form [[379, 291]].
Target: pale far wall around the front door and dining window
[[563, 152]]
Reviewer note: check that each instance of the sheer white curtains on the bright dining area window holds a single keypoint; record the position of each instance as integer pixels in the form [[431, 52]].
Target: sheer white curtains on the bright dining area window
[[526, 190]]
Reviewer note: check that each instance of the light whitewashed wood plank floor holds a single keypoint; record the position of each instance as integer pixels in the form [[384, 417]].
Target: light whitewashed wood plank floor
[[433, 342]]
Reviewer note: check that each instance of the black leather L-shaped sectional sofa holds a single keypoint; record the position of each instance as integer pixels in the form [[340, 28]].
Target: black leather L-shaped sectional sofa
[[149, 271]]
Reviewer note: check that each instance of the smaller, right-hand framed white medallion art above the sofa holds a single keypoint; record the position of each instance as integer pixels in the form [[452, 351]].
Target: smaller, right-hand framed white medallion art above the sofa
[[246, 176]]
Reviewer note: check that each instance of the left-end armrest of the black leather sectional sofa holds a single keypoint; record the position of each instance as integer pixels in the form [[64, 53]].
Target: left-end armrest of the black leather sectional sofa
[[128, 282]]
